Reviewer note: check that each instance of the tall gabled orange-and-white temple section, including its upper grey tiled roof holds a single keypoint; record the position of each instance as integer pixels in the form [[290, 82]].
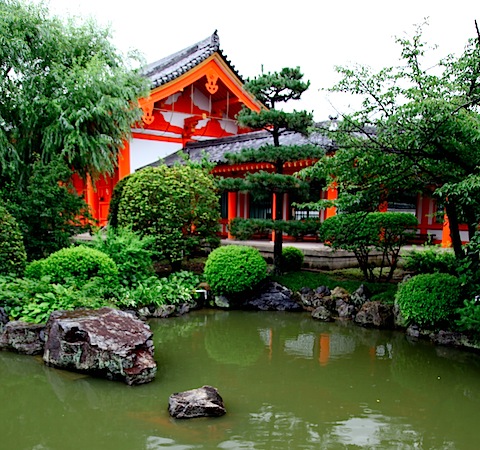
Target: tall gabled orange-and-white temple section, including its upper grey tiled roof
[[195, 96]]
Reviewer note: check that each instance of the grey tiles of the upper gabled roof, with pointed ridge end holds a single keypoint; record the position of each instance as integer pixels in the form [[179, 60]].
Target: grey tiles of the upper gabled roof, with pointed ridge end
[[173, 66]]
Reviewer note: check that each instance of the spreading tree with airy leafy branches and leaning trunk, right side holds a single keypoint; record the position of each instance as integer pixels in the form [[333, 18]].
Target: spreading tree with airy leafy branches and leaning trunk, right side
[[417, 129]]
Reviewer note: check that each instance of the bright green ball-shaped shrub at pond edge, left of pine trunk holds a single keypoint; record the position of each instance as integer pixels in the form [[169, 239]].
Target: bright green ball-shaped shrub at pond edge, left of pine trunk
[[232, 269]]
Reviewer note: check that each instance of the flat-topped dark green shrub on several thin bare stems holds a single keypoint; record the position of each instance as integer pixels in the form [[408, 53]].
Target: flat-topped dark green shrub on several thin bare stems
[[363, 232]]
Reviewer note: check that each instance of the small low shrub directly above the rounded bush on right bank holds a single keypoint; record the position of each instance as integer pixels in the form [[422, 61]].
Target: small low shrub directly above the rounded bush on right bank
[[430, 260]]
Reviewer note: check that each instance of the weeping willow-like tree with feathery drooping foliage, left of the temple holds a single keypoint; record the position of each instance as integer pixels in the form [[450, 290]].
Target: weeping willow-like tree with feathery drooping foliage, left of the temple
[[67, 97]]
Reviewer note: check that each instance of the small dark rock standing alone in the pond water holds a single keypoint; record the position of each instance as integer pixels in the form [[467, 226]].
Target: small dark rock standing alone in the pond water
[[200, 402]]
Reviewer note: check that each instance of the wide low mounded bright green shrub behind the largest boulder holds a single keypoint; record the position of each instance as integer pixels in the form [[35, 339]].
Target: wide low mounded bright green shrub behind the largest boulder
[[79, 264]]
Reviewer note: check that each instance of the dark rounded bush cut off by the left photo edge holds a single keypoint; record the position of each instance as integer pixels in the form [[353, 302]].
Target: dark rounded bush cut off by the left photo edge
[[12, 250]]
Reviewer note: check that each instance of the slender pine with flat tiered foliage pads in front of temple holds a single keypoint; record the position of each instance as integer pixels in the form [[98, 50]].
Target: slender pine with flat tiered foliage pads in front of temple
[[274, 89]]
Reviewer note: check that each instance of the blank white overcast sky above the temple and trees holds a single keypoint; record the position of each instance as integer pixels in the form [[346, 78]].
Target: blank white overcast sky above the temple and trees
[[312, 34]]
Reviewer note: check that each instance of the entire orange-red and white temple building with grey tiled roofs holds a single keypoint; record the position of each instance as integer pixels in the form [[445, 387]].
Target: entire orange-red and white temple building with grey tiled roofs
[[194, 98]]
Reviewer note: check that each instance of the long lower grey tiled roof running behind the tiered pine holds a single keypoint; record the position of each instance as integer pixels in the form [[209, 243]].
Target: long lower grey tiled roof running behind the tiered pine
[[215, 149]]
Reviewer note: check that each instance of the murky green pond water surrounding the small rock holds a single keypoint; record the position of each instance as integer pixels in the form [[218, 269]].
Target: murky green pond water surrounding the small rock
[[288, 382]]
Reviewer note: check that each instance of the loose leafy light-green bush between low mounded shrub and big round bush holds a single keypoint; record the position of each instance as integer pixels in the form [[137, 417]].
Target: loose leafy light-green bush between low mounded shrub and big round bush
[[131, 253]]
